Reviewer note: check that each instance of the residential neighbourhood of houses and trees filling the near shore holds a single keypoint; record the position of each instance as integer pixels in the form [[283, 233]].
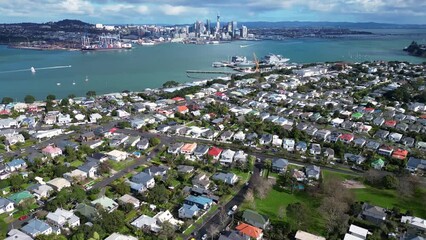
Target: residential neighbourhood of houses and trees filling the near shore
[[324, 151]]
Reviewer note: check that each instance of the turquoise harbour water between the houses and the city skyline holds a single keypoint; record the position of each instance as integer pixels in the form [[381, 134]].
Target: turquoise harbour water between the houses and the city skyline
[[151, 66]]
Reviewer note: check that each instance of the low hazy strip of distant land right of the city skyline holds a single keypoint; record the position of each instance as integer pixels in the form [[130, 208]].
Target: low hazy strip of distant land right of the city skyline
[[351, 25]]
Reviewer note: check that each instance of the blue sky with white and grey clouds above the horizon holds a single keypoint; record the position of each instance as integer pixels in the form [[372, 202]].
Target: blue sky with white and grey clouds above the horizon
[[188, 11]]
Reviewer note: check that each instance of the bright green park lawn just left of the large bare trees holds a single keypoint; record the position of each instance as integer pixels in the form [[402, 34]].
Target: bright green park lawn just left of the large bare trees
[[281, 198]]
